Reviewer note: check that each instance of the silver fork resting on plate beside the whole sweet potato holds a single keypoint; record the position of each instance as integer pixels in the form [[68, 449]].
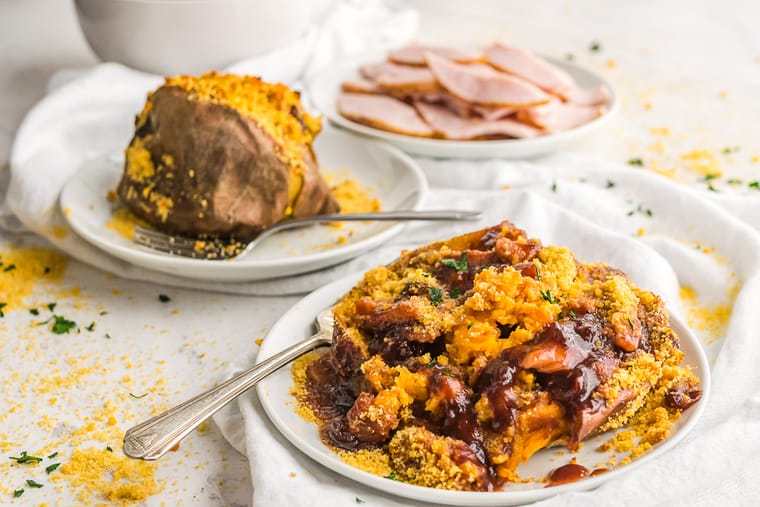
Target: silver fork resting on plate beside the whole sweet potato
[[189, 247]]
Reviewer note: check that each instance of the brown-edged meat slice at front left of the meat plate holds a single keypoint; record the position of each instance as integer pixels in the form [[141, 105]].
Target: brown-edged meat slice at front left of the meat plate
[[383, 112]]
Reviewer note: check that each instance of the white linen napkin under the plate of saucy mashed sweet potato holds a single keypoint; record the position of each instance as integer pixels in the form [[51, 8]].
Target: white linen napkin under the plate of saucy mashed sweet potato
[[666, 243]]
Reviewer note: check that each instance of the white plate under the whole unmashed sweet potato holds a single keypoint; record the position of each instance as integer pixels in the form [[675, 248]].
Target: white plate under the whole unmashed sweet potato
[[387, 173]]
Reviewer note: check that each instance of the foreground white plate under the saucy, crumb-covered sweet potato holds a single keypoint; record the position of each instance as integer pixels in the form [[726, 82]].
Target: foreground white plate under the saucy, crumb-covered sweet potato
[[279, 404]]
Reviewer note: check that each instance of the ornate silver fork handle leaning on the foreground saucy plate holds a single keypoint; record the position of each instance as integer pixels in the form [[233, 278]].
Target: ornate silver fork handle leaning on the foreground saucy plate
[[155, 437]]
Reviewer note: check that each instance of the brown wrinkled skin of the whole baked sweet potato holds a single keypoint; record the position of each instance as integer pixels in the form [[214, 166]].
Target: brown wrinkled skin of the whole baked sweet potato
[[222, 177]]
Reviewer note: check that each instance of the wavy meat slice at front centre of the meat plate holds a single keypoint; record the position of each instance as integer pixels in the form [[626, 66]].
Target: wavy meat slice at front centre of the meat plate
[[450, 126]]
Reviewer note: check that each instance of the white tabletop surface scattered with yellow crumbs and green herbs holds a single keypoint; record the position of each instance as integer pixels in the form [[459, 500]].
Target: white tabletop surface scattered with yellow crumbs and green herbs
[[687, 72]]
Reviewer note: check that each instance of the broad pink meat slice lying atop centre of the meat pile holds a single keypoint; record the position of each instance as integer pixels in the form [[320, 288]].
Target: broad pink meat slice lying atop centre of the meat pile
[[481, 84]]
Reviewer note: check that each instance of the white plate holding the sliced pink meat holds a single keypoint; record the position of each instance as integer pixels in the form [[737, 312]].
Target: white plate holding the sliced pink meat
[[324, 88]]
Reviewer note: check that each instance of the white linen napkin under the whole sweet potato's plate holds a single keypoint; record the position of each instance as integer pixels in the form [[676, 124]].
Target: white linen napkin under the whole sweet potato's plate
[[92, 113]]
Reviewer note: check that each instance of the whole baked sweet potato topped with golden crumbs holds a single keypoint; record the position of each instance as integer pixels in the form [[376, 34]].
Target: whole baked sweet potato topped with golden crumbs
[[223, 155]]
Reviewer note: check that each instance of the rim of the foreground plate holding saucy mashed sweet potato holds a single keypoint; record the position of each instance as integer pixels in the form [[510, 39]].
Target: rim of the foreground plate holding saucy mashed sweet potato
[[464, 498]]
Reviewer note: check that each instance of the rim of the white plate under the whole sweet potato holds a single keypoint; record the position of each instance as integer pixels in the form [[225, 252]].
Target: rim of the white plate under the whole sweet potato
[[149, 260]]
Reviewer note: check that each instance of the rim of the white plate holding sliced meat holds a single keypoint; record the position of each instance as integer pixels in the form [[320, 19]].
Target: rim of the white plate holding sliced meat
[[458, 148]]
